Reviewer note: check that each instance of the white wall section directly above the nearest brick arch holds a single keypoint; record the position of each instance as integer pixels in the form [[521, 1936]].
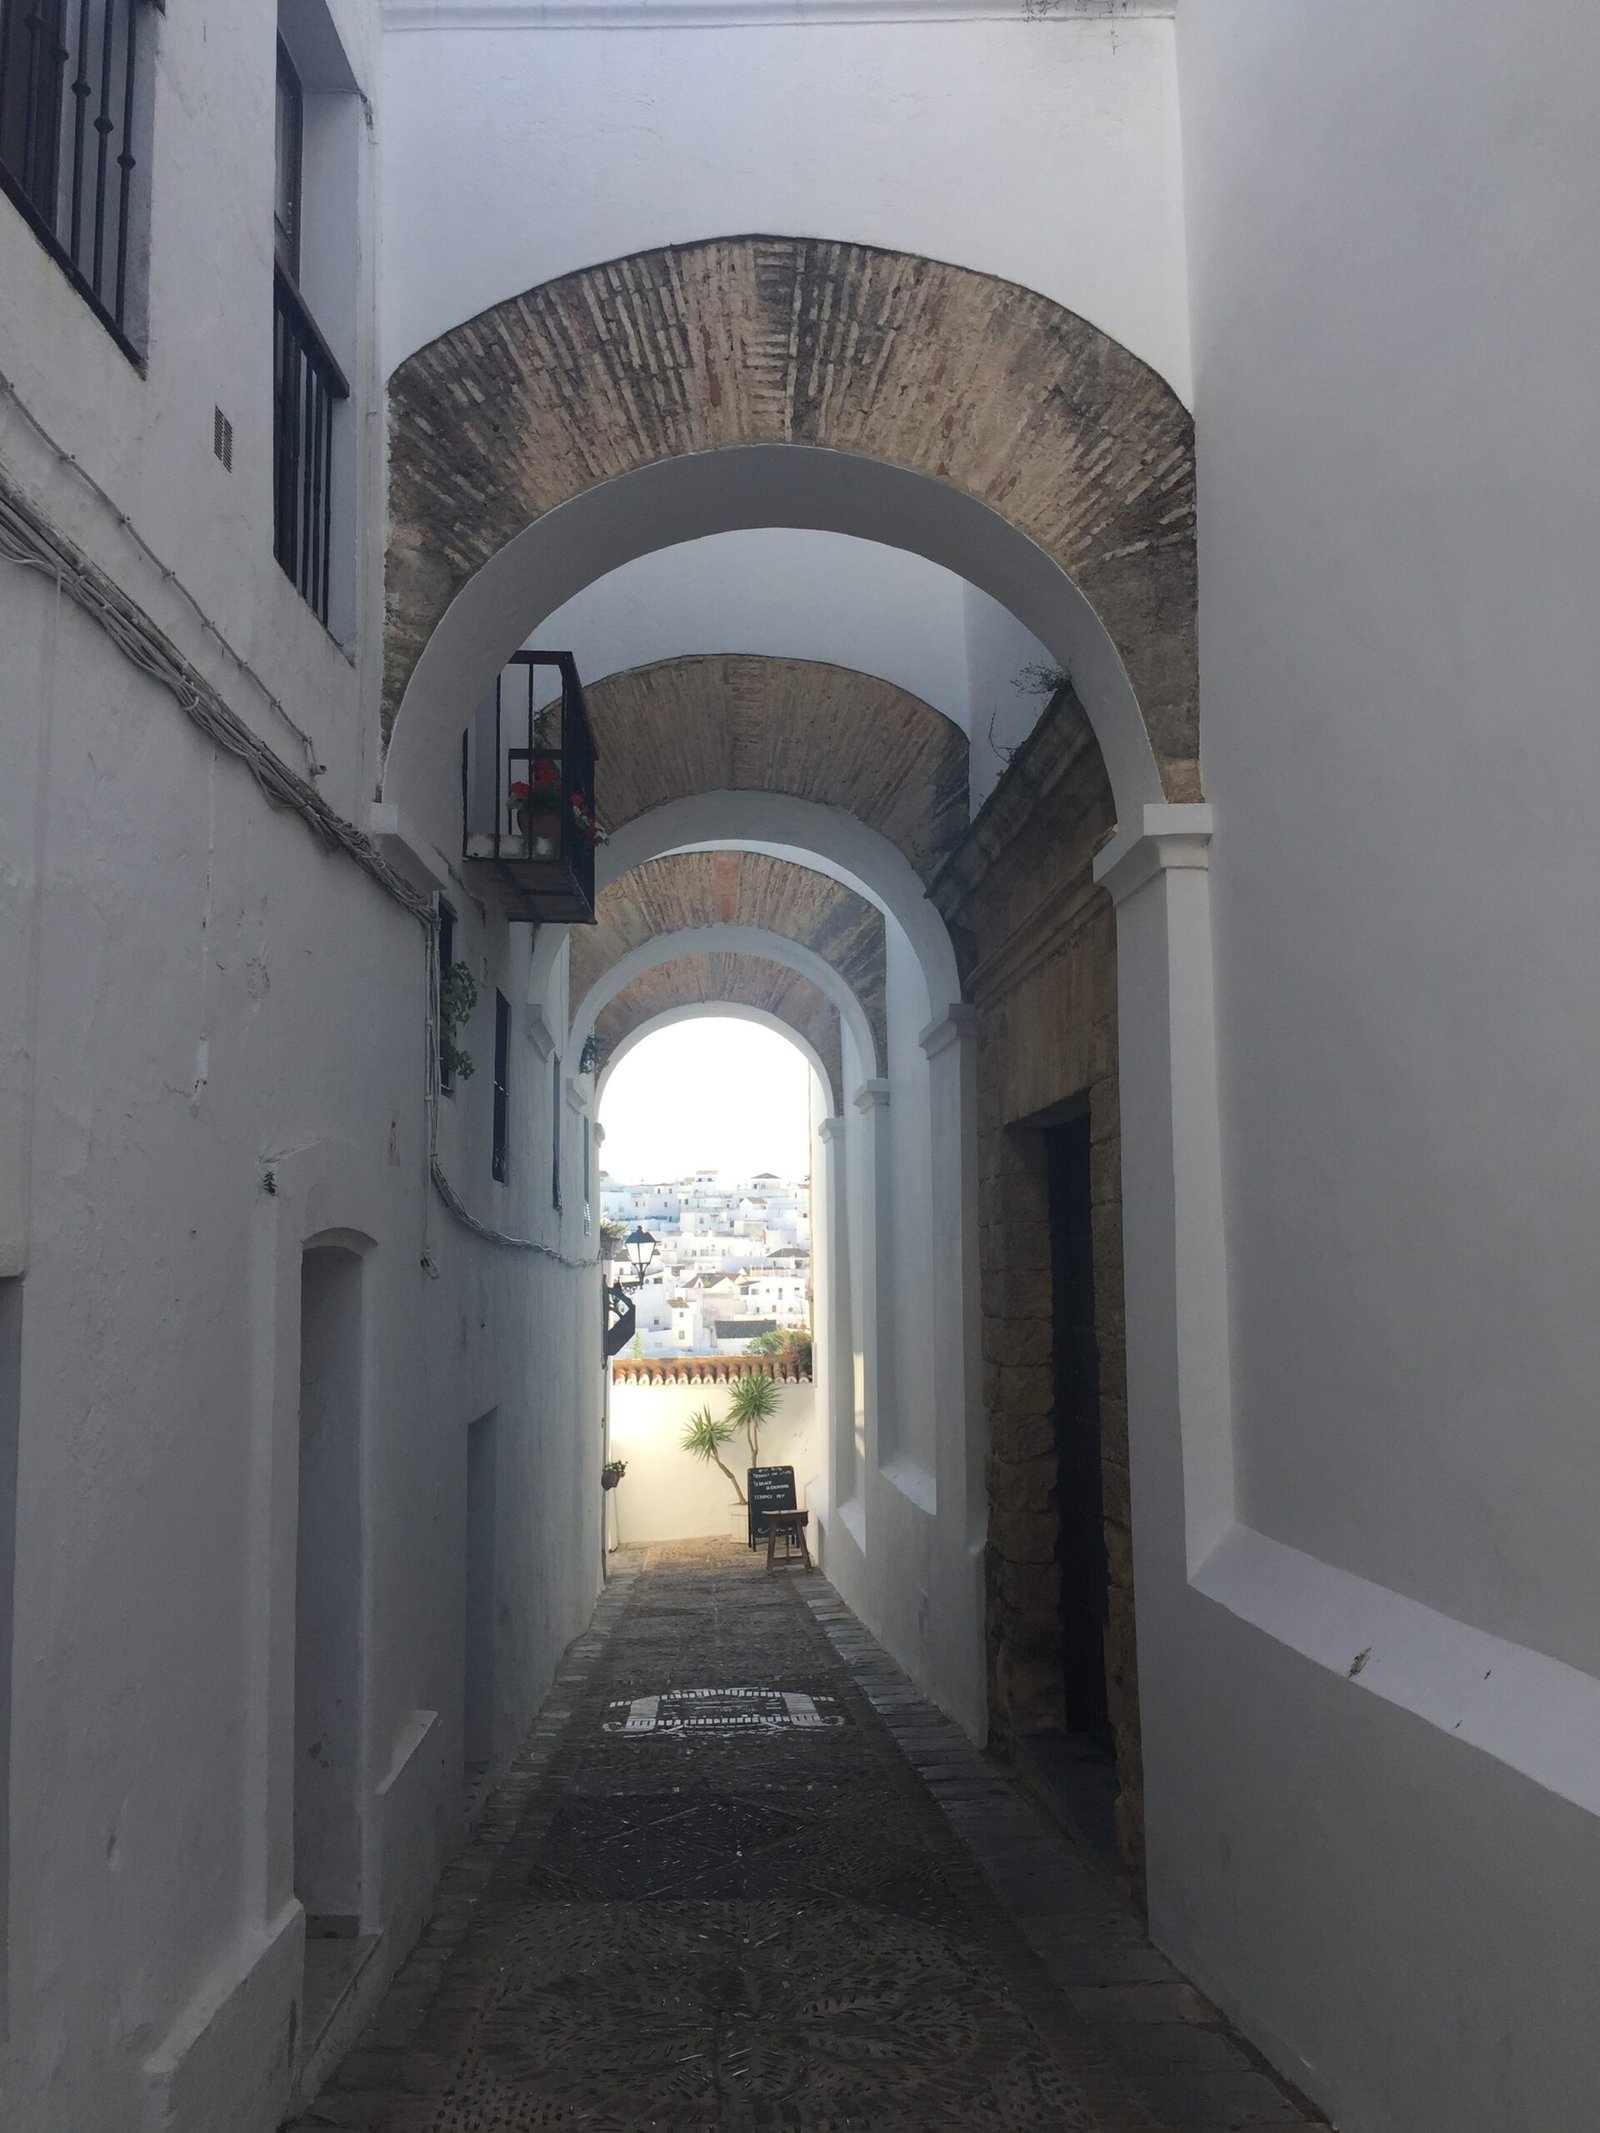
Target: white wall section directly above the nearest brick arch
[[1044, 153]]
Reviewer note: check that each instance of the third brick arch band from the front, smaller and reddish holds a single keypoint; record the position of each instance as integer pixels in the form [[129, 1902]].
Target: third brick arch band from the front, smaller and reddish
[[739, 888]]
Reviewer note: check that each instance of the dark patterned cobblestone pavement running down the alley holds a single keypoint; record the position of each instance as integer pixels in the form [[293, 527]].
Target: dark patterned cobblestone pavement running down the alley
[[741, 1878]]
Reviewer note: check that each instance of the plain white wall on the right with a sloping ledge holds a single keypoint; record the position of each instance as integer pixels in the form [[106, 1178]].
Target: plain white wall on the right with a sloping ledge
[[1373, 1737]]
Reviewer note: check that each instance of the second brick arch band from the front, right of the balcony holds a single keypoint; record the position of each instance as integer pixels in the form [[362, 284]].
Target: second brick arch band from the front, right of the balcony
[[790, 726]]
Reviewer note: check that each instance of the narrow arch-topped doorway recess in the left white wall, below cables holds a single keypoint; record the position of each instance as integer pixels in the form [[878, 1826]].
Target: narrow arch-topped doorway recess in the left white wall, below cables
[[327, 1599]]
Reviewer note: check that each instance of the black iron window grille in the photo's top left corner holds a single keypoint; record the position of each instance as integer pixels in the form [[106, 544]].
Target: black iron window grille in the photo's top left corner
[[69, 110]]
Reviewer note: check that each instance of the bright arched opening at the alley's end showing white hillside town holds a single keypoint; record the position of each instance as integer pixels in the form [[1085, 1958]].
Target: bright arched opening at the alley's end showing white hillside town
[[709, 1215]]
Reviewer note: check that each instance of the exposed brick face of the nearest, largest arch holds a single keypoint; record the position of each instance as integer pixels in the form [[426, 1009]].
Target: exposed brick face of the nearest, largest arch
[[963, 379]]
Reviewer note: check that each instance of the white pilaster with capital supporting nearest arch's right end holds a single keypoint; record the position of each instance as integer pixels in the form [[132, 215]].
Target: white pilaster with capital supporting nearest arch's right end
[[1181, 1400]]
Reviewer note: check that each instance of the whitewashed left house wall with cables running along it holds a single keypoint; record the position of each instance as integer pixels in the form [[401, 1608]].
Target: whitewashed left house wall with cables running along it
[[217, 1051]]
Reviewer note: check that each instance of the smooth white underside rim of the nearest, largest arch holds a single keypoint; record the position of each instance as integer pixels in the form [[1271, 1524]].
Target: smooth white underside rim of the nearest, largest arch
[[741, 487]]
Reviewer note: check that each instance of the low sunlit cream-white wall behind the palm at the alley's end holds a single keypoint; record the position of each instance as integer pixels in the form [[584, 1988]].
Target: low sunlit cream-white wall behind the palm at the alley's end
[[671, 1496]]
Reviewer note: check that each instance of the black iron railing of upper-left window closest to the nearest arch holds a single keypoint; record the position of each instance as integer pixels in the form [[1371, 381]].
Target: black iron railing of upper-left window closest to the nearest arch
[[306, 387]]
